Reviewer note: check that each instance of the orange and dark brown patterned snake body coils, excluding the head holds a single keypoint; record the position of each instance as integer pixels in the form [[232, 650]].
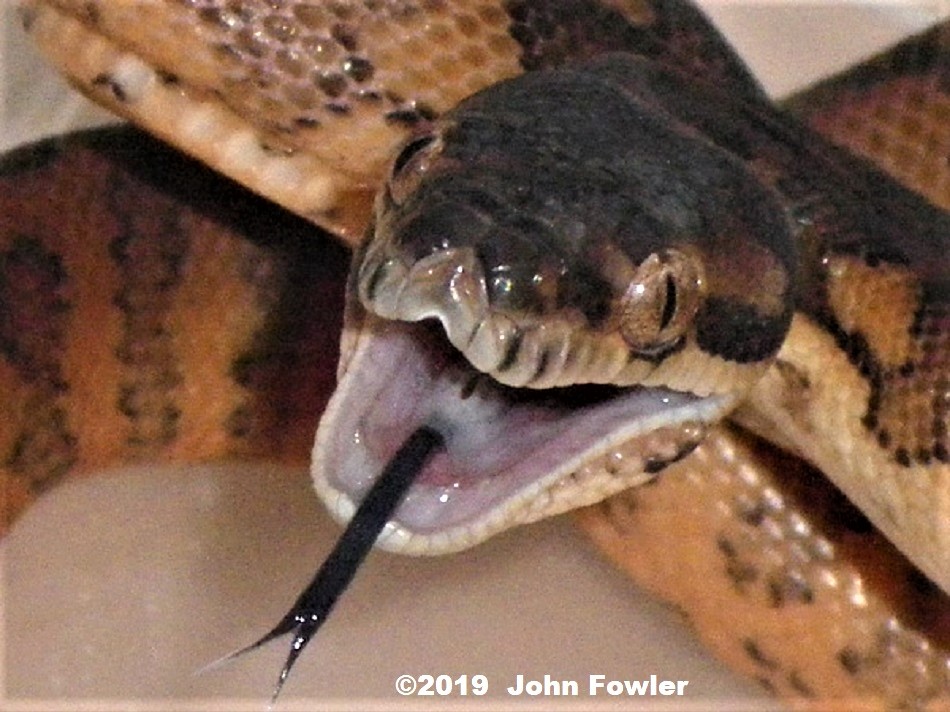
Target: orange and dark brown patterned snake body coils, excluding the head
[[772, 565]]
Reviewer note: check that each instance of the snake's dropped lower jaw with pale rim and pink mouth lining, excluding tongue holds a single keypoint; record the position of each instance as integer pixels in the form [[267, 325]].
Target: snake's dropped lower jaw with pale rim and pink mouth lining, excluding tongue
[[512, 455]]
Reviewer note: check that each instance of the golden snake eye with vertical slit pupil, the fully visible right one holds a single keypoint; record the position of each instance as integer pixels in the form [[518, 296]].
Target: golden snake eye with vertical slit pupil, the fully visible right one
[[658, 307]]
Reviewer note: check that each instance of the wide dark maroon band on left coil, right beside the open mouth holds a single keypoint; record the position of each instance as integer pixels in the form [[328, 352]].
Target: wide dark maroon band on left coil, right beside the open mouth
[[285, 370]]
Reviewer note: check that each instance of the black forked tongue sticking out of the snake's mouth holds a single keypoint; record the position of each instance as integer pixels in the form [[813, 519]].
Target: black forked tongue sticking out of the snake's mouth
[[317, 600]]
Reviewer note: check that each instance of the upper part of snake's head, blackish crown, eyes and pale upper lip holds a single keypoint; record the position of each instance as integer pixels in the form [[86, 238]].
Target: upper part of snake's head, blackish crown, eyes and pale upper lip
[[574, 247]]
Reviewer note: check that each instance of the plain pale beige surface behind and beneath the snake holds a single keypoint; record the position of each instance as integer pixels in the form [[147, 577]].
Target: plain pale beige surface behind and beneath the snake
[[115, 591]]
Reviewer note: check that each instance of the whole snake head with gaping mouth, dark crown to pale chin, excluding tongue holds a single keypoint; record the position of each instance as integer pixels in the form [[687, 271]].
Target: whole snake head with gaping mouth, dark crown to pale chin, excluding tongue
[[567, 296]]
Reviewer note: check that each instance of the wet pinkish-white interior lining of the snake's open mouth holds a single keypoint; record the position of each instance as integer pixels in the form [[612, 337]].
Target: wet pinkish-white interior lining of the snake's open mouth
[[499, 440]]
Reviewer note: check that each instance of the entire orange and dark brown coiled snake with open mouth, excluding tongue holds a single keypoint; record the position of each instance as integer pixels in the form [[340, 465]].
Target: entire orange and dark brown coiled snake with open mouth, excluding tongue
[[598, 260]]
